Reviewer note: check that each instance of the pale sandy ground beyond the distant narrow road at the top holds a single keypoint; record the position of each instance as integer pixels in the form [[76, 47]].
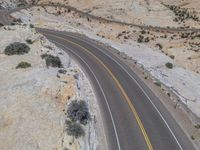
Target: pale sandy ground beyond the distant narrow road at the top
[[148, 12]]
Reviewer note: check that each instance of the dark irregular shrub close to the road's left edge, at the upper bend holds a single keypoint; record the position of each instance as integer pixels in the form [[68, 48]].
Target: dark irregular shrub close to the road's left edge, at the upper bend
[[53, 61]]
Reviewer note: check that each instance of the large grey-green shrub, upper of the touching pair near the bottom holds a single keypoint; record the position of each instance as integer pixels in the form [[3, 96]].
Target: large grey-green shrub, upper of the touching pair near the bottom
[[78, 111]]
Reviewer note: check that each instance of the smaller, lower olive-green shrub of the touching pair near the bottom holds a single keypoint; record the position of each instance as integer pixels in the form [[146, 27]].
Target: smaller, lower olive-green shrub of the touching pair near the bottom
[[75, 129]]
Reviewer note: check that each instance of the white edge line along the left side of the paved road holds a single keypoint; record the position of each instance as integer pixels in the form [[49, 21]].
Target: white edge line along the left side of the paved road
[[117, 138]]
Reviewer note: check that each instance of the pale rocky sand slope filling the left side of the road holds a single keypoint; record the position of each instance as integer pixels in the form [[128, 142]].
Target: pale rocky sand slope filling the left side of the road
[[33, 100]]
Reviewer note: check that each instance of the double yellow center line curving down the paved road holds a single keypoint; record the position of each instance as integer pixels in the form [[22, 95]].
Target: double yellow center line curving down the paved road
[[139, 122]]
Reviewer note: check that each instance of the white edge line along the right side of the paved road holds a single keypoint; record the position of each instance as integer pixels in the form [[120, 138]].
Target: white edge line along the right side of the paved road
[[138, 86]]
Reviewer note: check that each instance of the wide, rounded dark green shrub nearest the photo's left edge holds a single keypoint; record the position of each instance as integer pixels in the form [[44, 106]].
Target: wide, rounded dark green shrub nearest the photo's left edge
[[17, 48]]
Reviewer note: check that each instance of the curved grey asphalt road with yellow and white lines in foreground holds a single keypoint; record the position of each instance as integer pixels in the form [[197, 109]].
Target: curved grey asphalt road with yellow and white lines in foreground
[[134, 118]]
